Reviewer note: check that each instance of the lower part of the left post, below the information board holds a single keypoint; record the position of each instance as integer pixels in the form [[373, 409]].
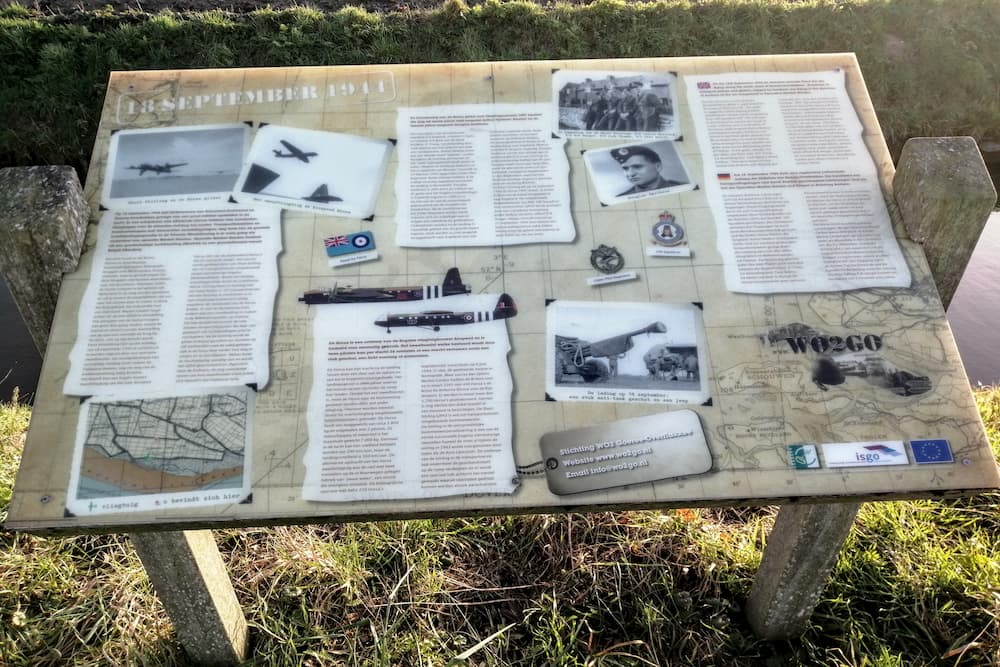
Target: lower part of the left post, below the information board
[[191, 581]]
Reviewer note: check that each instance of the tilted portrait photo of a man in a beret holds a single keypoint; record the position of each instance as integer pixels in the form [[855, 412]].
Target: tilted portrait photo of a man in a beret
[[637, 171]]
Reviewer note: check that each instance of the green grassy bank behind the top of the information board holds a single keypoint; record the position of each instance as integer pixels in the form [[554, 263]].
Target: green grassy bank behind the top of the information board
[[932, 66]]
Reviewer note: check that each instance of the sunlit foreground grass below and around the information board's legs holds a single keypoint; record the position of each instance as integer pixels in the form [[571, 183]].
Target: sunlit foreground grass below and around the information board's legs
[[918, 583]]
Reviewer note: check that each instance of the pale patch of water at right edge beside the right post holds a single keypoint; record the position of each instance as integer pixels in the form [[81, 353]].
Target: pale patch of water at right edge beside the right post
[[975, 310]]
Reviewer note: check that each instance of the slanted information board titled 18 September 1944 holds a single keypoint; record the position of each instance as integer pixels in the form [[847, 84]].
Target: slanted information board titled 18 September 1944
[[364, 292]]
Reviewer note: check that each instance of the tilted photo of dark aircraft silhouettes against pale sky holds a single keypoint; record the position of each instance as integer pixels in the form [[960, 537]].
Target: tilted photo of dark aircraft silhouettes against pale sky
[[324, 172]]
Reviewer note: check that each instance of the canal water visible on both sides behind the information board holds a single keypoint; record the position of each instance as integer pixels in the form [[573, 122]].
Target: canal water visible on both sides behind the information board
[[974, 315]]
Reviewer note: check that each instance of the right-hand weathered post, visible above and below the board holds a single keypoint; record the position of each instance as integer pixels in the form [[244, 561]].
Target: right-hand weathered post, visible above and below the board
[[945, 196]]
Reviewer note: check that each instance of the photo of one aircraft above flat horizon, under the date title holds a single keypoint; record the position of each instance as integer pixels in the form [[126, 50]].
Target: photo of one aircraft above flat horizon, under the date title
[[174, 165]]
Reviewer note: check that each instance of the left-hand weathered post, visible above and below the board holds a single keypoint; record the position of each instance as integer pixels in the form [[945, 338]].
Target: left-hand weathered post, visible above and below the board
[[43, 221]]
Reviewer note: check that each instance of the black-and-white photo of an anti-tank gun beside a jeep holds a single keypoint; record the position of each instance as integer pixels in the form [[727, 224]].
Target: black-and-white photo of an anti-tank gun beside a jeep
[[626, 352]]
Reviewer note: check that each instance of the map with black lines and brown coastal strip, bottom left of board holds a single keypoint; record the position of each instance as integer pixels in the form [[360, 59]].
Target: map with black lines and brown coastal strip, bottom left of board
[[151, 453]]
